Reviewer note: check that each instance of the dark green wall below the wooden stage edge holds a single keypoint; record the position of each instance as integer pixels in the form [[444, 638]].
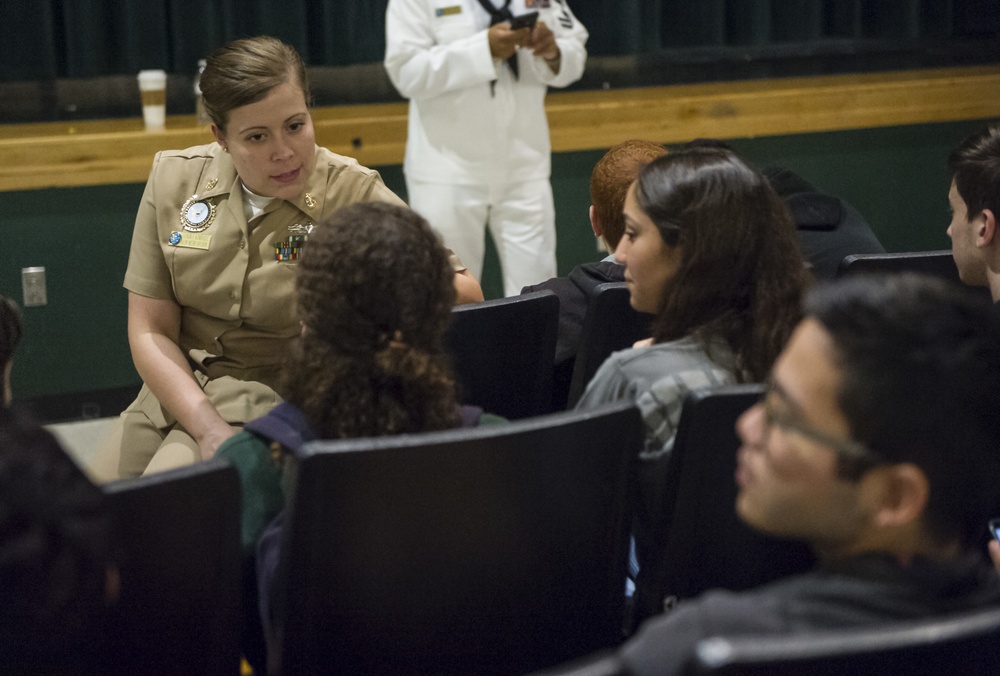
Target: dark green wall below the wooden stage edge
[[77, 343]]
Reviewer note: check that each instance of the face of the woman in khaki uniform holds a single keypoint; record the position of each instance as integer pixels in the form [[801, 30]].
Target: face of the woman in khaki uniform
[[272, 142]]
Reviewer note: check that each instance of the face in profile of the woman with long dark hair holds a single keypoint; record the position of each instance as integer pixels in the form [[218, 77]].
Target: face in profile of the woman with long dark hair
[[649, 261]]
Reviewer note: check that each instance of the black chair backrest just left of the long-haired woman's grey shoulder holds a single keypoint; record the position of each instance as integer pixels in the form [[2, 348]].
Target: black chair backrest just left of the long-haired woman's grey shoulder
[[610, 324]]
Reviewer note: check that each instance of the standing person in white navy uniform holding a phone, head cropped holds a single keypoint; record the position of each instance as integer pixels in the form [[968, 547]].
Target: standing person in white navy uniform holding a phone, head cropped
[[477, 148]]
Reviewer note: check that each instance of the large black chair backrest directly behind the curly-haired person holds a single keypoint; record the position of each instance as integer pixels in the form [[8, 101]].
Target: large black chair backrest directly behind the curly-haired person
[[500, 549]]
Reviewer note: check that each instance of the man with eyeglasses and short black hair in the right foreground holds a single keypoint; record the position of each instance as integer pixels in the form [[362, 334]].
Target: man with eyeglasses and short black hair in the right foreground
[[878, 444]]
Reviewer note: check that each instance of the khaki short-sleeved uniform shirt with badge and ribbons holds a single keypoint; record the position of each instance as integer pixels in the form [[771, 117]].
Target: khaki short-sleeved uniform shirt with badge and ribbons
[[233, 281]]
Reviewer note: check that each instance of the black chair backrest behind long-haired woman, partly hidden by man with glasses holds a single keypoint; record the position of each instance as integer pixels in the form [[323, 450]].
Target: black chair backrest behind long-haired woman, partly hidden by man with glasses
[[700, 542]]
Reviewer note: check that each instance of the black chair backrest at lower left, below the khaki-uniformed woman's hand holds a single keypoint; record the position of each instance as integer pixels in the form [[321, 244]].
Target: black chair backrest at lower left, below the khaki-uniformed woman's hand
[[179, 539]]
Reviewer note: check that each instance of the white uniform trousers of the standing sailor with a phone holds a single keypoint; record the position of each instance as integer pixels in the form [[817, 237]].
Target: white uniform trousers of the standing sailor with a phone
[[521, 218]]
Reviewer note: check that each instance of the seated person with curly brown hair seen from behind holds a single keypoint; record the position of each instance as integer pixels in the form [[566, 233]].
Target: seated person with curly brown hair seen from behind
[[373, 296]]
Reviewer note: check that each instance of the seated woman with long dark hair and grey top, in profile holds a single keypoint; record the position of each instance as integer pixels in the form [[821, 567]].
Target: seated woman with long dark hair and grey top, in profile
[[709, 249]]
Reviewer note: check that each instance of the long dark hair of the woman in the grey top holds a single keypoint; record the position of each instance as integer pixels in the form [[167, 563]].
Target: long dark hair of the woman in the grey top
[[741, 276]]
